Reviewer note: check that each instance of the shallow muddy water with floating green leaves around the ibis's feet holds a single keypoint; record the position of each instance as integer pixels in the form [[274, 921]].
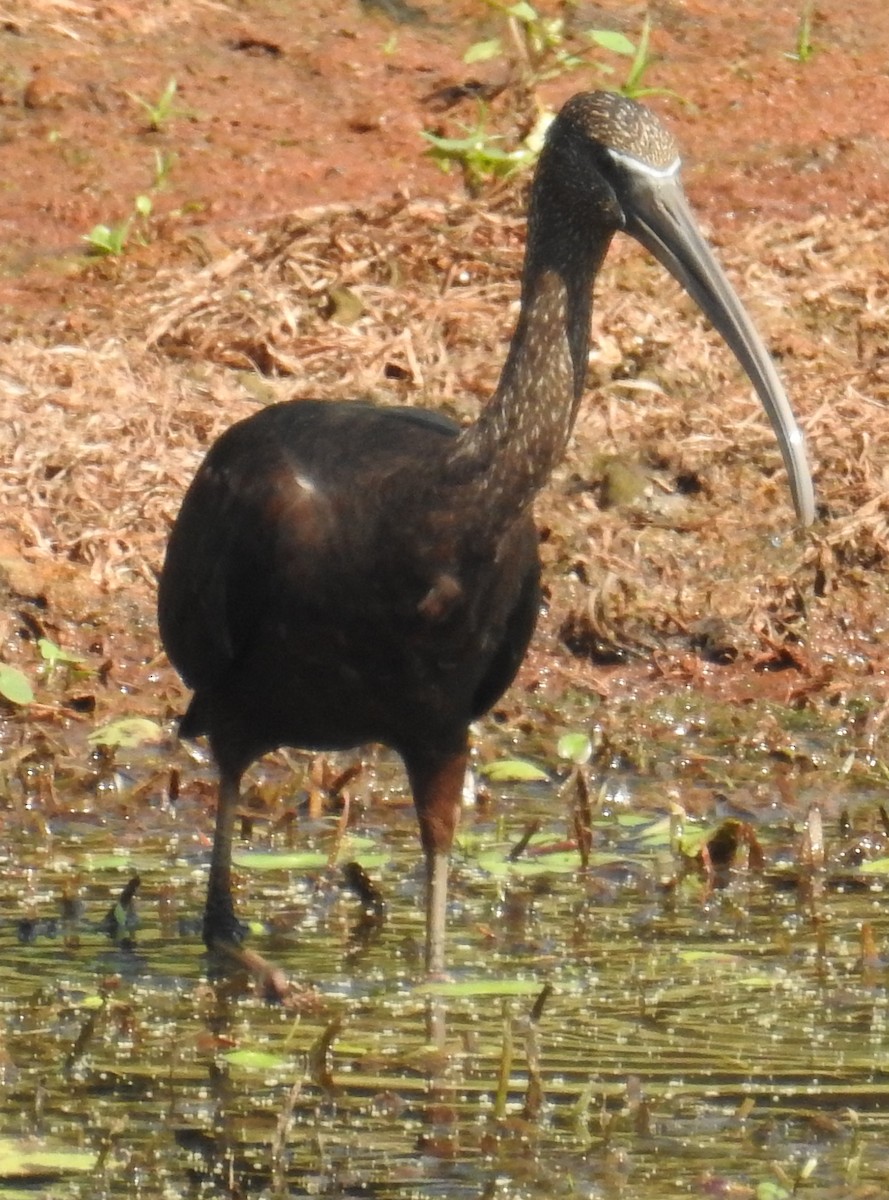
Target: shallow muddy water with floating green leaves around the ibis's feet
[[702, 1037]]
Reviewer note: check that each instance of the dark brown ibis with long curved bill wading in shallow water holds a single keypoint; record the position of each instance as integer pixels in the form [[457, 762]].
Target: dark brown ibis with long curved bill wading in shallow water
[[343, 574]]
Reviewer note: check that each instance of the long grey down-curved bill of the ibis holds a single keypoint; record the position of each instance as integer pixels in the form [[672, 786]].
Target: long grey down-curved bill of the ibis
[[659, 217]]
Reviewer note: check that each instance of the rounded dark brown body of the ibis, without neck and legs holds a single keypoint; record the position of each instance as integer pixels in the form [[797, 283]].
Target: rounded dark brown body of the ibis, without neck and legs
[[325, 586]]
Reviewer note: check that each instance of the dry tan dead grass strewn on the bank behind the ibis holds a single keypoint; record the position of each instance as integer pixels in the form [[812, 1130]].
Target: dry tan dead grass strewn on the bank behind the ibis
[[107, 431]]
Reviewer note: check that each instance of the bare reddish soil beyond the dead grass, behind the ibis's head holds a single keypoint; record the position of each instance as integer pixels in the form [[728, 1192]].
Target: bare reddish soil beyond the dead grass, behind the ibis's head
[[277, 111]]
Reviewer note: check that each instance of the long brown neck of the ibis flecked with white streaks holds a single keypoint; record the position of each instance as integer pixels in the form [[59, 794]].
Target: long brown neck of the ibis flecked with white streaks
[[522, 434]]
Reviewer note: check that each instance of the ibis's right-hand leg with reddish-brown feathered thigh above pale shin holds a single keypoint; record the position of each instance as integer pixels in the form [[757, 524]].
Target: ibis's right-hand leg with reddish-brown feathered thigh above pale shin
[[439, 791]]
